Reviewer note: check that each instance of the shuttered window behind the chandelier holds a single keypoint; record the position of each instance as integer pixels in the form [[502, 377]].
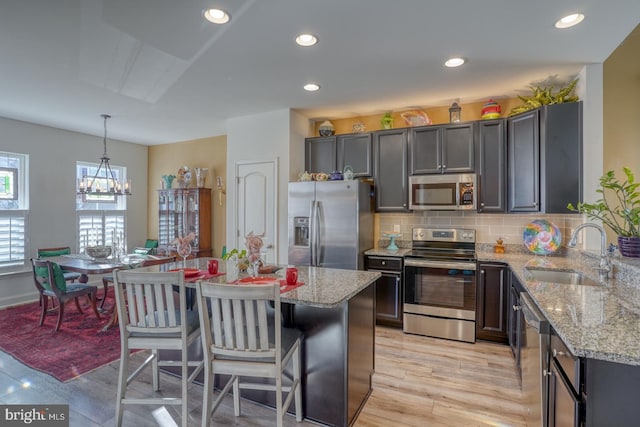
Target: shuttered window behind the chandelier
[[100, 219]]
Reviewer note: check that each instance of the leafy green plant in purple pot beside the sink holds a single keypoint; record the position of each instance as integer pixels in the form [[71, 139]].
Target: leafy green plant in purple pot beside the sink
[[618, 209]]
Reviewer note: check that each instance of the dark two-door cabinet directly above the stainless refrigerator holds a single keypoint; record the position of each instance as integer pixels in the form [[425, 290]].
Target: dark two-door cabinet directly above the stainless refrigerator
[[331, 153]]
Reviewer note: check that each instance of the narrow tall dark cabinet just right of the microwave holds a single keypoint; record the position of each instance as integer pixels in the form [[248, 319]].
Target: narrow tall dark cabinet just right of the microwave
[[492, 166]]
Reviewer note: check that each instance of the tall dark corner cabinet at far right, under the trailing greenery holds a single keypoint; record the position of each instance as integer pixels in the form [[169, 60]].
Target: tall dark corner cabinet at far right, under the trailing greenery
[[545, 158]]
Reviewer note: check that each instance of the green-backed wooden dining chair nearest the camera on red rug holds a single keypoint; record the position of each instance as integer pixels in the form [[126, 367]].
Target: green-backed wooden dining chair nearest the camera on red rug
[[50, 282]]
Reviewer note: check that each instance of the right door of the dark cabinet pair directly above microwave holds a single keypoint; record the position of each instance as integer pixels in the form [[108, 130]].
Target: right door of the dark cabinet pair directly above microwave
[[457, 148]]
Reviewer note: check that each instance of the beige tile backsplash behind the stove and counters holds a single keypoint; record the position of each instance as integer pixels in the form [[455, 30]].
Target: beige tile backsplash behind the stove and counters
[[489, 227]]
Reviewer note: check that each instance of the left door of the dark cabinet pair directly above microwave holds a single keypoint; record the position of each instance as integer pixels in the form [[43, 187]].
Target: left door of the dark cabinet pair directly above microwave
[[424, 148]]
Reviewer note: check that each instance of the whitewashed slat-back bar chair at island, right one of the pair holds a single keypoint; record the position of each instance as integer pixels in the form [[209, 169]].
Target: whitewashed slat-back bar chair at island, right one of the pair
[[241, 339]]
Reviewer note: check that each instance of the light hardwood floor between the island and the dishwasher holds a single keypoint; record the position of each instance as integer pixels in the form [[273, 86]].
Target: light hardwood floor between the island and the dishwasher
[[421, 381]]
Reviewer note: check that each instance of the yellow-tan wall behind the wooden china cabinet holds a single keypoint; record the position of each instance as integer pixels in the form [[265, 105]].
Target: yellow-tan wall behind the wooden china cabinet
[[200, 153]]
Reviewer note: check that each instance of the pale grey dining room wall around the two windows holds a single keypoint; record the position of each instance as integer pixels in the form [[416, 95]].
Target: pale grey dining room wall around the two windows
[[52, 163]]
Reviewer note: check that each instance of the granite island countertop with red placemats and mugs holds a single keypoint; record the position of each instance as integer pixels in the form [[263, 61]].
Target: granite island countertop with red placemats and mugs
[[323, 287]]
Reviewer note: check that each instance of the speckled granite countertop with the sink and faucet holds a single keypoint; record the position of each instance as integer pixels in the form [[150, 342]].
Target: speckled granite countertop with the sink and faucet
[[599, 321]]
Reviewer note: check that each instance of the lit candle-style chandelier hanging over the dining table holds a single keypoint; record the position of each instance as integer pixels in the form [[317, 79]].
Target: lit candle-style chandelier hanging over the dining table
[[104, 182]]
